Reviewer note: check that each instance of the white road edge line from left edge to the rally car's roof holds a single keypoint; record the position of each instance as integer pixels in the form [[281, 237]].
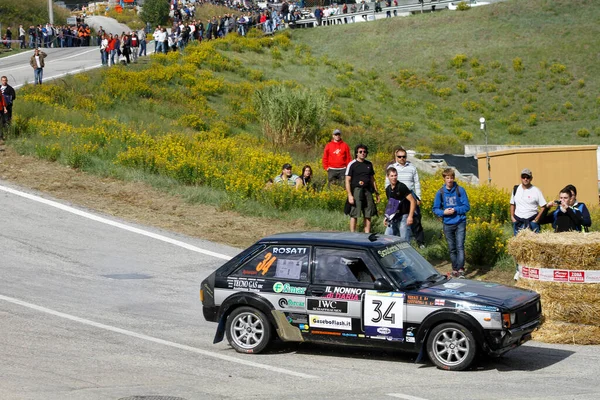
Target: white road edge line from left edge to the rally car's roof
[[115, 224]]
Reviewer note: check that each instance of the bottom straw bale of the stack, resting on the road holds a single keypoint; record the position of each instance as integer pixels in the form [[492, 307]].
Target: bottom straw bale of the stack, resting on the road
[[567, 333]]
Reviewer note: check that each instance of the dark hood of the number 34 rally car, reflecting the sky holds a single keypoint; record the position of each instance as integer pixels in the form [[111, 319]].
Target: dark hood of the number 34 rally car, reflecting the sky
[[478, 292]]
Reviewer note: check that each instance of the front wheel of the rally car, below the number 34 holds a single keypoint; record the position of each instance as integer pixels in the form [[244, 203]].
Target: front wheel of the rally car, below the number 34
[[451, 346]]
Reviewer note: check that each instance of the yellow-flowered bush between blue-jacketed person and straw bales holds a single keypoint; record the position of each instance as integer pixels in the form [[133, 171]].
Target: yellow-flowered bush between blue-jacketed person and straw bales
[[485, 242]]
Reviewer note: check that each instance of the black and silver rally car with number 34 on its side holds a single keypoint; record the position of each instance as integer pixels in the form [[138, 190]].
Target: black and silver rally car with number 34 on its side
[[362, 289]]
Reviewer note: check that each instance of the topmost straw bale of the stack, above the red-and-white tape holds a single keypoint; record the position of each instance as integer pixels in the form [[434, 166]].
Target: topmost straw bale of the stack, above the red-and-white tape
[[568, 250]]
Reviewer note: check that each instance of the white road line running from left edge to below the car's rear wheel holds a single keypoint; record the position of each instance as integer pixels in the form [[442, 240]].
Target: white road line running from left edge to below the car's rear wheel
[[154, 340]]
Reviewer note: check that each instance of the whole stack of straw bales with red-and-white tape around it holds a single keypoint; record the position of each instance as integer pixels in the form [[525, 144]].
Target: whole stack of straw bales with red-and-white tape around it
[[571, 311]]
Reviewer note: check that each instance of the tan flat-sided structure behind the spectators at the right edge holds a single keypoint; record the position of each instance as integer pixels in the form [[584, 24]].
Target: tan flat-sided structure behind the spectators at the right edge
[[553, 168]]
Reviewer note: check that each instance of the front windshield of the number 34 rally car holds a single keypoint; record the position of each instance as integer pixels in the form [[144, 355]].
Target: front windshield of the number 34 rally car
[[406, 266]]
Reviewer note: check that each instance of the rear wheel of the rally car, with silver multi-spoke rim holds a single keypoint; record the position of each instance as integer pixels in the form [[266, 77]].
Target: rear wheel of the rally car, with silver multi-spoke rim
[[248, 330]]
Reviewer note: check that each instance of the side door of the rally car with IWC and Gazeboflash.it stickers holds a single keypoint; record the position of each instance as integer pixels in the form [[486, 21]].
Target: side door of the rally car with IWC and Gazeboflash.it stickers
[[340, 277]]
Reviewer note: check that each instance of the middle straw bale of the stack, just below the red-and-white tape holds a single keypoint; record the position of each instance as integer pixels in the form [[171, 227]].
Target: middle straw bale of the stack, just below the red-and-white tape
[[567, 302]]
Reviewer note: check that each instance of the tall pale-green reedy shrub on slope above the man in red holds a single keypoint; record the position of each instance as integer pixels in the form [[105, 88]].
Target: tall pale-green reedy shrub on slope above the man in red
[[290, 115]]
